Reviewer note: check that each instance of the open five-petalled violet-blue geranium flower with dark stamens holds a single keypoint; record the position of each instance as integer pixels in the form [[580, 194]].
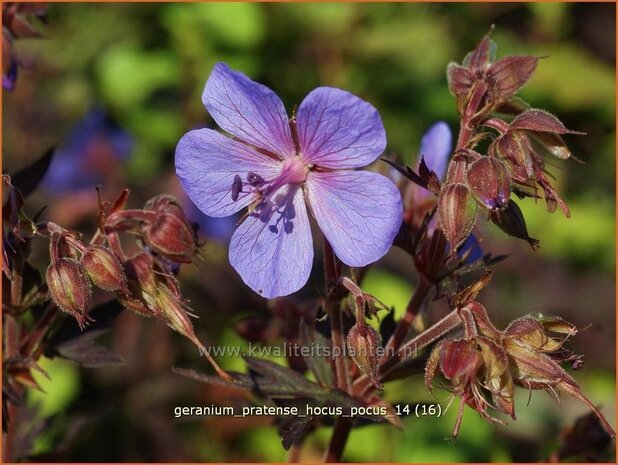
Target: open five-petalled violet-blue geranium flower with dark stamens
[[280, 168]]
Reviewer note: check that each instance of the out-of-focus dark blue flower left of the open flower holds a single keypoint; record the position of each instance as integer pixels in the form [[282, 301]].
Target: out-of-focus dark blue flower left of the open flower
[[94, 147]]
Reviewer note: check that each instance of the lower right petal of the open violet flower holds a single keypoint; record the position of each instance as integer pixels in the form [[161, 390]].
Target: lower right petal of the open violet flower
[[359, 213]]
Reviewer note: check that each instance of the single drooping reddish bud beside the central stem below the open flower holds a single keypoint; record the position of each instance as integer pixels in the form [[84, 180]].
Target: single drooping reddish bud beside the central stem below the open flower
[[364, 343]]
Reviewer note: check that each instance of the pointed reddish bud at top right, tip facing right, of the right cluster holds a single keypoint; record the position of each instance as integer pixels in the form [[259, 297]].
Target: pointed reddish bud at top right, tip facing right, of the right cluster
[[509, 74]]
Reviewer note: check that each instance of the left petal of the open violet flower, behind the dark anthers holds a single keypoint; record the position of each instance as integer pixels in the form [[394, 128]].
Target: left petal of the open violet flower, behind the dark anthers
[[208, 162]]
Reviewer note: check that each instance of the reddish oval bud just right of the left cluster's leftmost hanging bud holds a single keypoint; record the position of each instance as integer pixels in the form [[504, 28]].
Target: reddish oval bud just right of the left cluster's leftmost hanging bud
[[104, 269]]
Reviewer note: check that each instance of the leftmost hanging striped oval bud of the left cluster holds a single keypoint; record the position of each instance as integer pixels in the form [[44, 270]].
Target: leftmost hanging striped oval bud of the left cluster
[[69, 287]]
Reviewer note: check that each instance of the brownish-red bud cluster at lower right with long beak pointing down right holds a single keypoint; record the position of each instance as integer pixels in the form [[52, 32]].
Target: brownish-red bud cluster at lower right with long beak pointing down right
[[484, 366]]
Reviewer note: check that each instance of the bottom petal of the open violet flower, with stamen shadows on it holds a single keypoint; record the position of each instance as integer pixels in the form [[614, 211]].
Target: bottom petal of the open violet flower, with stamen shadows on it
[[273, 253]]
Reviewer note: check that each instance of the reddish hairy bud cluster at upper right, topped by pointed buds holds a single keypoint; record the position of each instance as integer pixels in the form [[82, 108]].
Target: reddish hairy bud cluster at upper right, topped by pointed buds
[[485, 91]]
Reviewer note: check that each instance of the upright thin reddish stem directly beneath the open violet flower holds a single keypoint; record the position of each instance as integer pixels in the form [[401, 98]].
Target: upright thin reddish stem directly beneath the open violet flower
[[342, 377]]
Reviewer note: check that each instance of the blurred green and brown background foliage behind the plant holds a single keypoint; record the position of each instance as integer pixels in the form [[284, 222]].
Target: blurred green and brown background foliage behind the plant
[[146, 65]]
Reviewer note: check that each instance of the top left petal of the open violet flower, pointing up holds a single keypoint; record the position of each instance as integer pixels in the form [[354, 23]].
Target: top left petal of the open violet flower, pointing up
[[248, 110]]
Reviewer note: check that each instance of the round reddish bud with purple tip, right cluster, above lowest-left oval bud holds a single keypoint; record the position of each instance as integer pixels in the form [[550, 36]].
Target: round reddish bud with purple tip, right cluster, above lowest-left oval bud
[[489, 181]]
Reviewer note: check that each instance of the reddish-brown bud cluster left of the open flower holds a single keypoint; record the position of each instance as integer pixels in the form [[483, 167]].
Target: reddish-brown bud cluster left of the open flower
[[143, 283]]
